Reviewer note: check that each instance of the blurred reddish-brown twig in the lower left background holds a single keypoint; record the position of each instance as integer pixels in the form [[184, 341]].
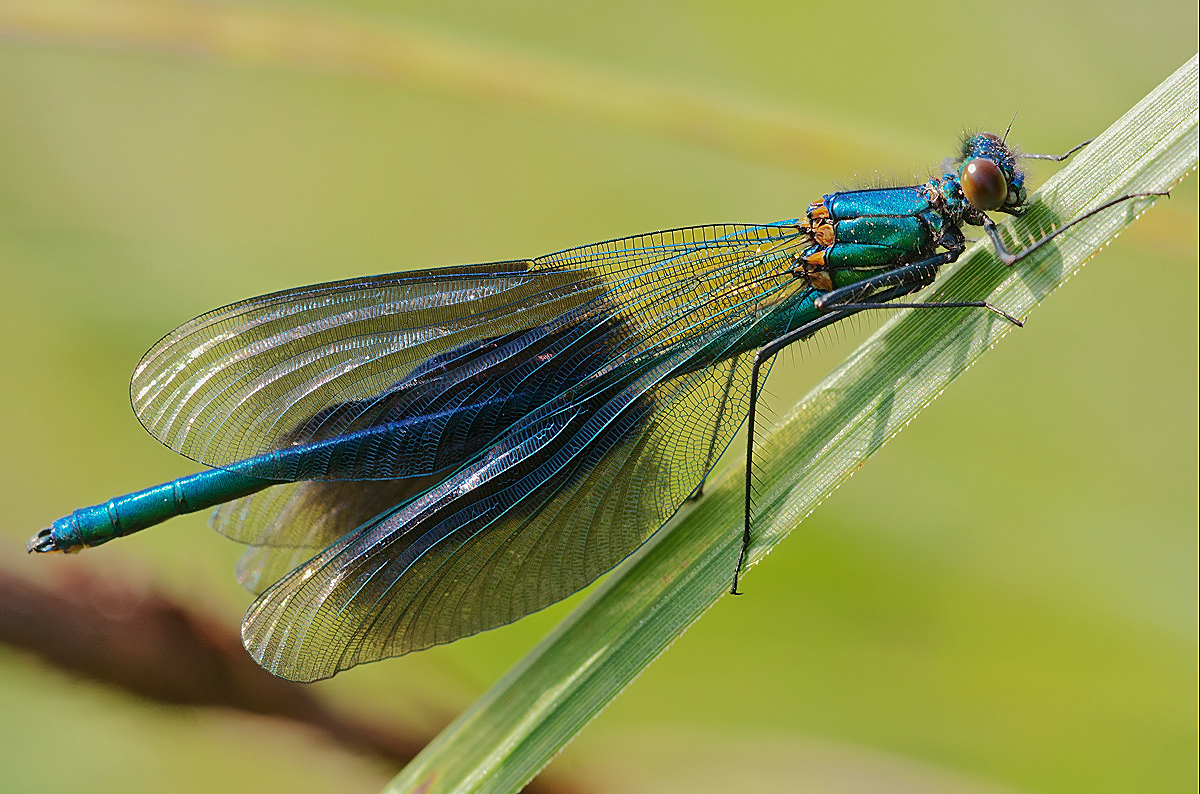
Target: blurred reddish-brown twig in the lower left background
[[148, 646]]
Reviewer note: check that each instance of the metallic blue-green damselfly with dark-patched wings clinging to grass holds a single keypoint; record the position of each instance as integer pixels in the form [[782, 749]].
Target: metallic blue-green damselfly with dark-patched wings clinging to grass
[[422, 456]]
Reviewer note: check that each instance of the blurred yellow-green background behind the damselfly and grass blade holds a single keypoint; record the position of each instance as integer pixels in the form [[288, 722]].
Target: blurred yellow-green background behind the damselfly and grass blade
[[1004, 600]]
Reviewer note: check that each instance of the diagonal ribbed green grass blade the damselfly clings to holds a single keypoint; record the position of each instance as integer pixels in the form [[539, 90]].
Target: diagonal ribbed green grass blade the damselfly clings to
[[514, 731]]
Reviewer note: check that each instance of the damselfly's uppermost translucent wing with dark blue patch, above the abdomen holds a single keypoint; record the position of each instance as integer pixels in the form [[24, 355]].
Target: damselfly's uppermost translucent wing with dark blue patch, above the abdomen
[[421, 371]]
